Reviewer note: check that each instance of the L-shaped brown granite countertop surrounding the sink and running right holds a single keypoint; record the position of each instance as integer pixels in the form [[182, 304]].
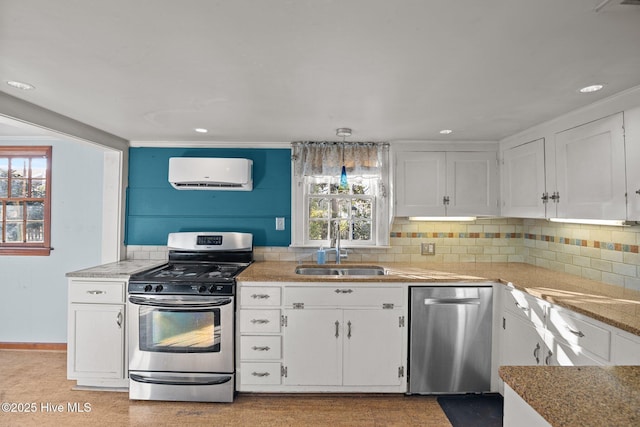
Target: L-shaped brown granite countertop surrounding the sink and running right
[[613, 305]]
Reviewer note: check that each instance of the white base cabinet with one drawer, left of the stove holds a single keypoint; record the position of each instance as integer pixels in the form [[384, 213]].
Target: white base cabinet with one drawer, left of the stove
[[96, 355]]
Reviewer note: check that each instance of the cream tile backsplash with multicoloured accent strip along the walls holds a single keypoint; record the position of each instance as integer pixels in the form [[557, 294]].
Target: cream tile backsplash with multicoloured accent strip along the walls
[[603, 253]]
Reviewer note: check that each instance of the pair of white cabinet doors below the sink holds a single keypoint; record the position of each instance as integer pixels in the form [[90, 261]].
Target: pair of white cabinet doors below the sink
[[343, 347]]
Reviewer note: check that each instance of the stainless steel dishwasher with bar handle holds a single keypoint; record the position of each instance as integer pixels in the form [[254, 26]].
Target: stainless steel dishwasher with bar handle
[[450, 339]]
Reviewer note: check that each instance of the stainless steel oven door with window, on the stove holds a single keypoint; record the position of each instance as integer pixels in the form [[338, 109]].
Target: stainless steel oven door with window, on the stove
[[181, 333]]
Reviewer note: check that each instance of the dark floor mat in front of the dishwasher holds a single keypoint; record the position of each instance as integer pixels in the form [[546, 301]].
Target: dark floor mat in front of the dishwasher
[[472, 410]]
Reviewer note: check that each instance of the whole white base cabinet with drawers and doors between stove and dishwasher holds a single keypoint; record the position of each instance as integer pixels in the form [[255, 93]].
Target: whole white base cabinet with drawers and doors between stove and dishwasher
[[321, 337]]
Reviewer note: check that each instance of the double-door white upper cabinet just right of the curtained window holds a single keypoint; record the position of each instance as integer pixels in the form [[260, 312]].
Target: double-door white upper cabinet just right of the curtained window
[[446, 184]]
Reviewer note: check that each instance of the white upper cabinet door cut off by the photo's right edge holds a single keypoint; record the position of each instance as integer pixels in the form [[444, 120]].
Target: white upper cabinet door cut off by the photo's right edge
[[632, 147]]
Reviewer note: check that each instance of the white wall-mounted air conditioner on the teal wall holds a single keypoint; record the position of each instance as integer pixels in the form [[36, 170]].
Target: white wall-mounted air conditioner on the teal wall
[[205, 173]]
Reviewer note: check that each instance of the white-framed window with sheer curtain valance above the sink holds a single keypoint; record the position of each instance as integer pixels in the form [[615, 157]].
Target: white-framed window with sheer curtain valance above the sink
[[322, 207]]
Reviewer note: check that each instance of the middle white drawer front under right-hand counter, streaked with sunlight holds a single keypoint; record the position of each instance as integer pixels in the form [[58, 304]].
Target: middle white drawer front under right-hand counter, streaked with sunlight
[[576, 331]]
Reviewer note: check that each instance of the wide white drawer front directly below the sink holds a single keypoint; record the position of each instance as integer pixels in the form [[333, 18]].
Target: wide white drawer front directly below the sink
[[337, 294]]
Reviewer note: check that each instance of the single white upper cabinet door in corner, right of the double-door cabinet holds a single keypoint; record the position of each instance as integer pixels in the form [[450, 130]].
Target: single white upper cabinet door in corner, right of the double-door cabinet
[[523, 181]]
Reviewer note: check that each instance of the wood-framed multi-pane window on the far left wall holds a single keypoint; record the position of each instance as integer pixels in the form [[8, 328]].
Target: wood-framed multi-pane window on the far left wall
[[25, 200]]
